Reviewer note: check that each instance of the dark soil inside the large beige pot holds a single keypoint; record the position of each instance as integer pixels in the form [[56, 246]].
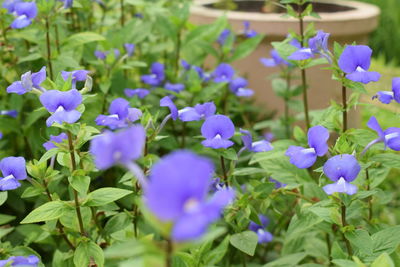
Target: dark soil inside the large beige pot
[[260, 7]]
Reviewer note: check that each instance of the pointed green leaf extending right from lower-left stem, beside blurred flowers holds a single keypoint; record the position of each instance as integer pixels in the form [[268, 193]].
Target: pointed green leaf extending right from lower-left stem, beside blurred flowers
[[105, 195]]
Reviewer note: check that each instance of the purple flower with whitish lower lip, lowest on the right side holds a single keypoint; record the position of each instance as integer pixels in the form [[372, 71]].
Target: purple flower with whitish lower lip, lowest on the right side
[[341, 169]]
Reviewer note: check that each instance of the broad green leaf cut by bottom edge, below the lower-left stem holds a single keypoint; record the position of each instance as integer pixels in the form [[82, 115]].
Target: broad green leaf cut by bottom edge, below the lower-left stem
[[88, 252]]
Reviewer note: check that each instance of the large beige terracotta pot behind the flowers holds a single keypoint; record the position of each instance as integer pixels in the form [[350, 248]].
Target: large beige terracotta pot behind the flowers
[[352, 22]]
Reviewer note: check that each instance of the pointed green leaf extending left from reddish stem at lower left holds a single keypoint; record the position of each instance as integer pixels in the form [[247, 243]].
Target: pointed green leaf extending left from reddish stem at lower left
[[47, 212]]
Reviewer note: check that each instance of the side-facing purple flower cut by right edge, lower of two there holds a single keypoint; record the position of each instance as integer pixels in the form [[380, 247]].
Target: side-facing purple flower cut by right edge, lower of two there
[[390, 137]]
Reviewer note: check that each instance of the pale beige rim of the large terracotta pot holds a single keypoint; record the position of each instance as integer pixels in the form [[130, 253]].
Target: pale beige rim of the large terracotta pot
[[359, 11]]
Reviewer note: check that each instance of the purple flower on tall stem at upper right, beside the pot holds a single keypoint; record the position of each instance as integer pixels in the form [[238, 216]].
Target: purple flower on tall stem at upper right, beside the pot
[[355, 61]]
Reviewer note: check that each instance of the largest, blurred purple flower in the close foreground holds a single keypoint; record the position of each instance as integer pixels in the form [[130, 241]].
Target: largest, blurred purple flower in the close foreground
[[178, 193]]
